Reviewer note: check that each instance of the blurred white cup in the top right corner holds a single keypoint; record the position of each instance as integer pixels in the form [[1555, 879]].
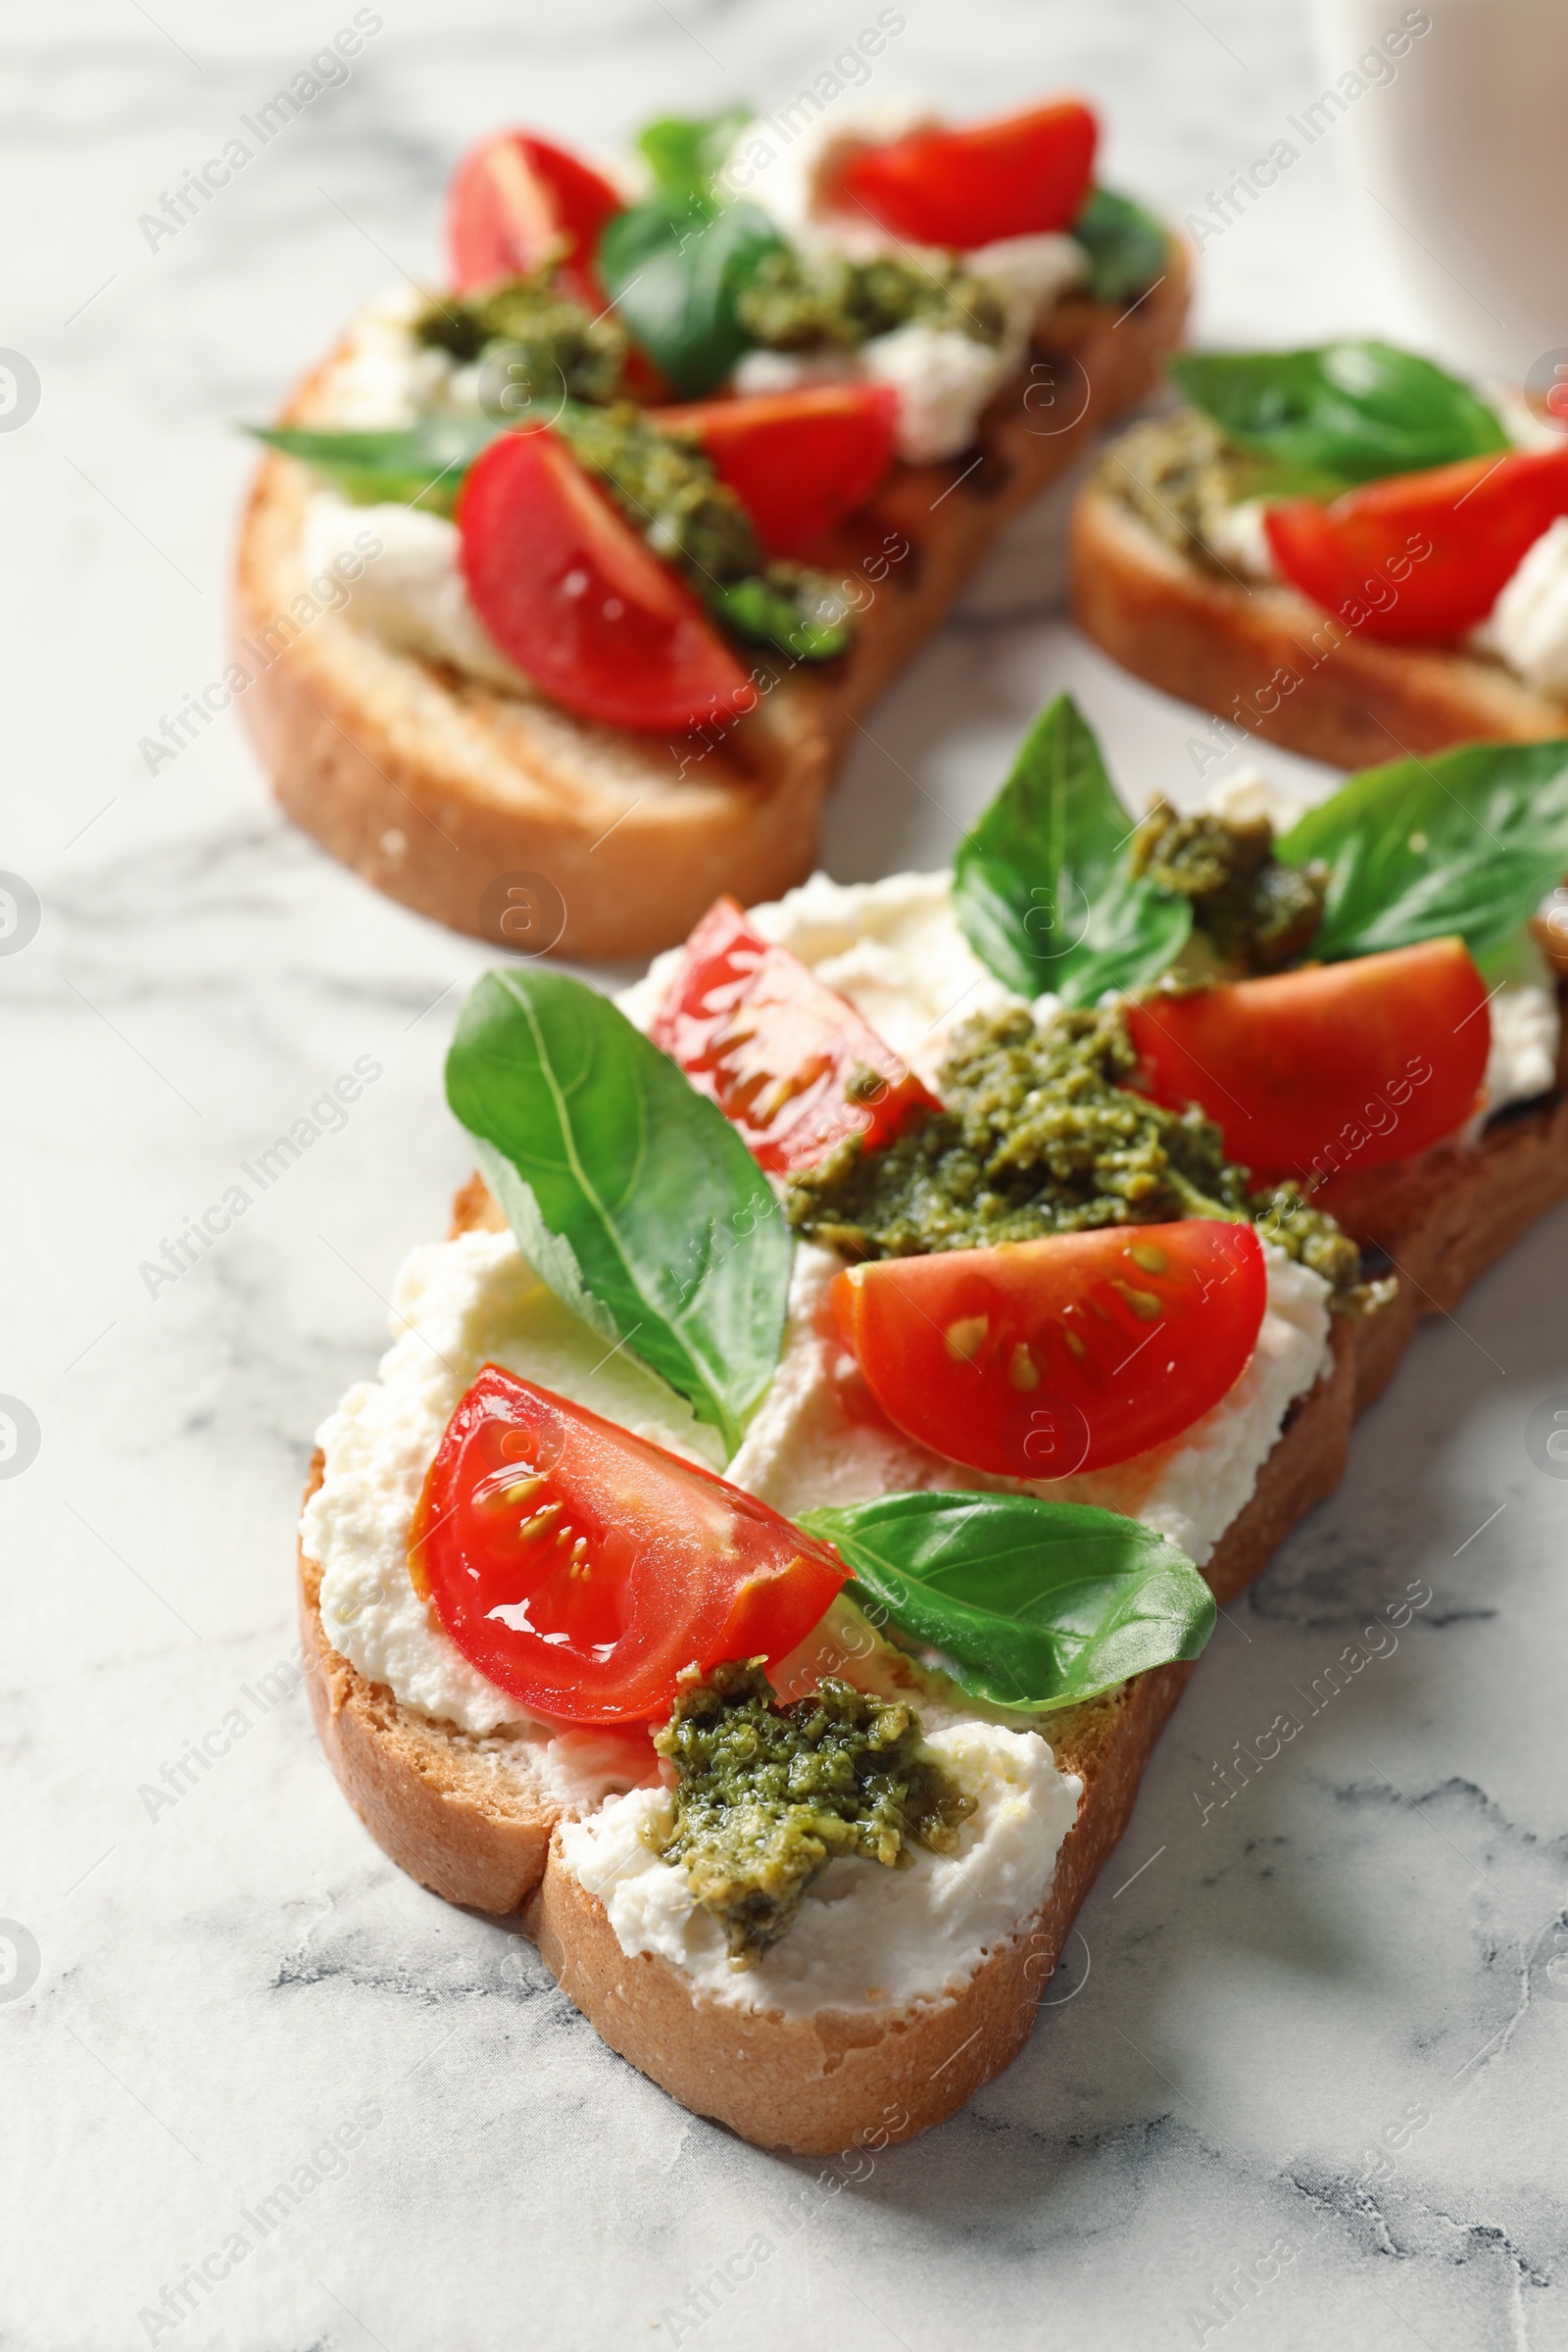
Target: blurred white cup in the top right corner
[[1463, 152]]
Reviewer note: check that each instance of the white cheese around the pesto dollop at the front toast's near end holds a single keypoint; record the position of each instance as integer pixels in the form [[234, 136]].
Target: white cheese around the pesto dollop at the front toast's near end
[[866, 1937]]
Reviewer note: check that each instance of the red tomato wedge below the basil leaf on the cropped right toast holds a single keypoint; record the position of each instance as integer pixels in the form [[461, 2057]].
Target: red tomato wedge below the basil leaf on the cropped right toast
[[1423, 556]]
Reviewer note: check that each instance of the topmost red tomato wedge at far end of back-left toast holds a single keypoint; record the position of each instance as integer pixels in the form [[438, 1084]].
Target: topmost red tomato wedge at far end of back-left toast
[[960, 189]]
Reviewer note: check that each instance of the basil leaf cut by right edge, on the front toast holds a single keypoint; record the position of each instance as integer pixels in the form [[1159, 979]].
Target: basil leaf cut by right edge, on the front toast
[[1468, 841]]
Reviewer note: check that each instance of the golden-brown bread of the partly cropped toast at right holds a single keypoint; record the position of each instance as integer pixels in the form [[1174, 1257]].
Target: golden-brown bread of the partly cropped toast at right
[[1268, 660]]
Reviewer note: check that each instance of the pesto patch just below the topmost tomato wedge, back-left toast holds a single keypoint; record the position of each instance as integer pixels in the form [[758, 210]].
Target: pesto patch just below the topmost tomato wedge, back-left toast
[[805, 302]]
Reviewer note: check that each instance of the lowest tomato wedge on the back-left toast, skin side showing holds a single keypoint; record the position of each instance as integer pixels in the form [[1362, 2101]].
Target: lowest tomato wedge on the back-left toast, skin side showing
[[579, 603]]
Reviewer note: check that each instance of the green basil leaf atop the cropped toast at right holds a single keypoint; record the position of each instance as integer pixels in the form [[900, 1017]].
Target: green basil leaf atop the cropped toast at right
[[1348, 410]]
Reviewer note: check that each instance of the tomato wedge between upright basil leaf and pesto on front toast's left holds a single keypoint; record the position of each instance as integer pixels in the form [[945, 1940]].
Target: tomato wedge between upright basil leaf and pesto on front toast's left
[[760, 1036]]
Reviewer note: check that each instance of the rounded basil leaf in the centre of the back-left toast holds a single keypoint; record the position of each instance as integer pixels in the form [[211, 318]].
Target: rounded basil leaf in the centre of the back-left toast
[[674, 269]]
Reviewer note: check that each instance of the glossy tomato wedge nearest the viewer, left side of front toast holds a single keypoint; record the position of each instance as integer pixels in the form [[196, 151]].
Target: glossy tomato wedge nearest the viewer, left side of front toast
[[582, 1568]]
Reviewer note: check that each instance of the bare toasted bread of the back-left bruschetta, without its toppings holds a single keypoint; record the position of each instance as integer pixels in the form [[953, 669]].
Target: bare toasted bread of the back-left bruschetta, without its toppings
[[441, 789]]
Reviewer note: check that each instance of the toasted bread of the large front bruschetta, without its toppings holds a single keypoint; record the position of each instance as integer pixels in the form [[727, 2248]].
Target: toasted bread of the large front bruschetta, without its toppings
[[474, 1819]]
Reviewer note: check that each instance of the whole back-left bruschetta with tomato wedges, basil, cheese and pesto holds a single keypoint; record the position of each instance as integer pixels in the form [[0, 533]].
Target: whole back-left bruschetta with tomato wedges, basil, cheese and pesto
[[563, 587]]
